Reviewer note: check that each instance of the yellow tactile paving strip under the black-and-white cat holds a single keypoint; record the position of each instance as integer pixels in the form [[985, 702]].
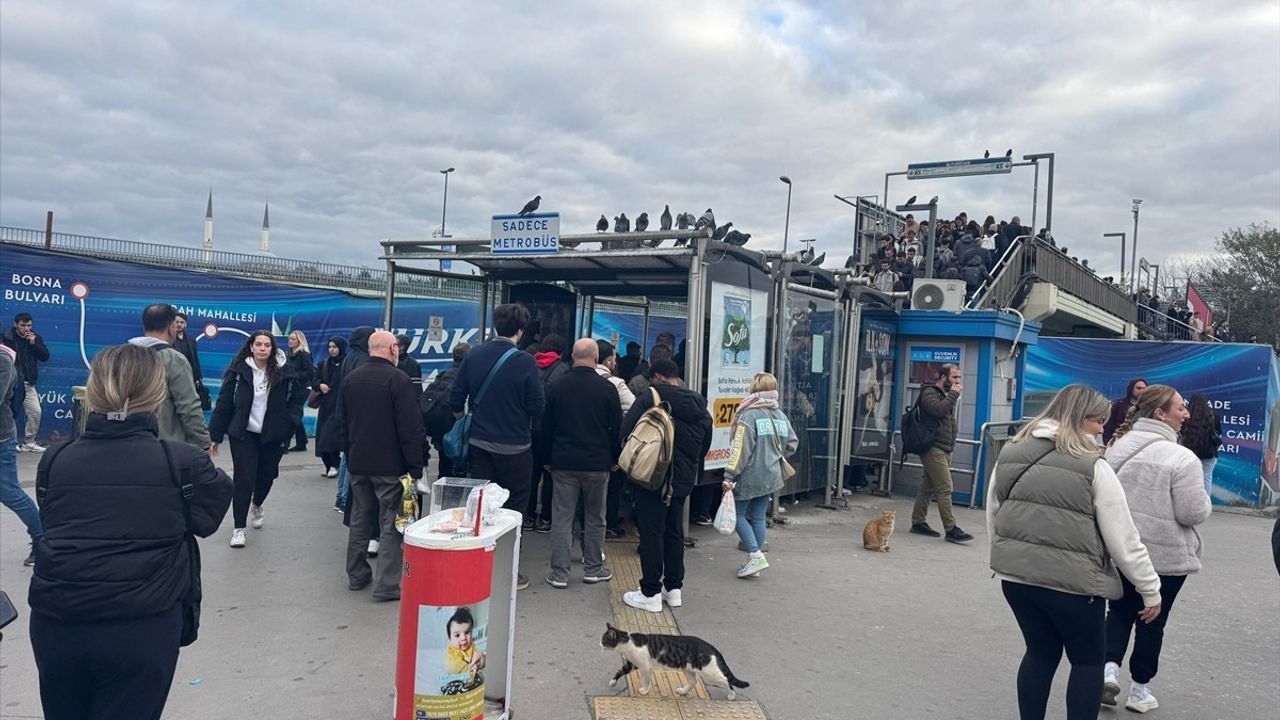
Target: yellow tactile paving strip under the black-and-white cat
[[662, 703]]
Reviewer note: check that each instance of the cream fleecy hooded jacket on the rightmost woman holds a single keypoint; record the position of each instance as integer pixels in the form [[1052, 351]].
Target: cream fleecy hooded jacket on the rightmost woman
[[1165, 487]]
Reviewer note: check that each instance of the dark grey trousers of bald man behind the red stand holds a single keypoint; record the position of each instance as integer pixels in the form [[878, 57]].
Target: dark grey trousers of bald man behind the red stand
[[376, 500]]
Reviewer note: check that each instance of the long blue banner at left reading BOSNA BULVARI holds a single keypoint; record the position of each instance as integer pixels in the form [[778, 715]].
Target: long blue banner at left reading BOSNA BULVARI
[[81, 306]]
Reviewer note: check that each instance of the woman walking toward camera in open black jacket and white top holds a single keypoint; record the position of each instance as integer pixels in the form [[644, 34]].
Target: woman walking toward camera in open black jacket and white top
[[259, 407]]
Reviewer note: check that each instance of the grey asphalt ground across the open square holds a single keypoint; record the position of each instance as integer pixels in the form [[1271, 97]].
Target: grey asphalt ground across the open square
[[830, 631]]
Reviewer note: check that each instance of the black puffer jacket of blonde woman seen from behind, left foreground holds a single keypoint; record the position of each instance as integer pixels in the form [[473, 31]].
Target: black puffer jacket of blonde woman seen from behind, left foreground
[[115, 544]]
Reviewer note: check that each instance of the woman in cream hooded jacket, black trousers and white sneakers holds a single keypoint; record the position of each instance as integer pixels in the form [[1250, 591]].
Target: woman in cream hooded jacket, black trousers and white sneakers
[[1164, 485]]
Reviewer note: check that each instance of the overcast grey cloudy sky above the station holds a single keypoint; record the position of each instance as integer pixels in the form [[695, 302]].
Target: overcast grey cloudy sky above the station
[[120, 117]]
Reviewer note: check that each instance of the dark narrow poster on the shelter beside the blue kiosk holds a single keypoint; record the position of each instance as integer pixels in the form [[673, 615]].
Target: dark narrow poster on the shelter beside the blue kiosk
[[877, 353]]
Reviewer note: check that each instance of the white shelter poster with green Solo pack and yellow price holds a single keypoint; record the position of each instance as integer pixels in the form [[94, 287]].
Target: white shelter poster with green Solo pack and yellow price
[[737, 352]]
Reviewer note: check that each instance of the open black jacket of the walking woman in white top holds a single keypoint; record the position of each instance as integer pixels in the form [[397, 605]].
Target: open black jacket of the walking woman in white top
[[236, 399]]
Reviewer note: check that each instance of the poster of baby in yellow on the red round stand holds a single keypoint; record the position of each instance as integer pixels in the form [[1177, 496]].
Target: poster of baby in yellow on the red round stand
[[452, 654]]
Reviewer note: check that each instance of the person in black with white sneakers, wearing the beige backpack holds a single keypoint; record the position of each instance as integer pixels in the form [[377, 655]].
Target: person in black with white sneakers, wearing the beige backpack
[[662, 525]]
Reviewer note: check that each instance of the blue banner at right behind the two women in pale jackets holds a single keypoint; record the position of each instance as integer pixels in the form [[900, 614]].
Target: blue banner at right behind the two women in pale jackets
[[1240, 381]]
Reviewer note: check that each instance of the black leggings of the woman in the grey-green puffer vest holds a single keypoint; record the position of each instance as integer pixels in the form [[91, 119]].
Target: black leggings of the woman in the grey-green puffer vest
[[1053, 621]]
